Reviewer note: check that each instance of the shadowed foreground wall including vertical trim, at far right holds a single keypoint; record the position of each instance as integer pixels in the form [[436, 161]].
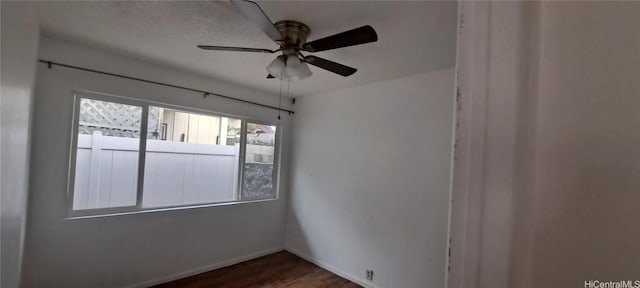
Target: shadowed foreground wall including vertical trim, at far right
[[550, 197]]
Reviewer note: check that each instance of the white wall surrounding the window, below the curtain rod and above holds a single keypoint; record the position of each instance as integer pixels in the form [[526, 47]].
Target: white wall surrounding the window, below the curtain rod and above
[[139, 249]]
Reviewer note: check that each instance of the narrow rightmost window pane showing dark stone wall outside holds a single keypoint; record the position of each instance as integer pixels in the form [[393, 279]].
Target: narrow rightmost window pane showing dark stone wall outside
[[259, 160]]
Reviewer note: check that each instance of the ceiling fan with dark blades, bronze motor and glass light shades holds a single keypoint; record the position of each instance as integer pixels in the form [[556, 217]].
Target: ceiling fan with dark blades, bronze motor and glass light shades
[[291, 38]]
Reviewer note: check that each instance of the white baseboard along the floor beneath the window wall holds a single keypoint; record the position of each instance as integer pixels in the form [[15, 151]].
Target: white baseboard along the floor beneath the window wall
[[203, 269]]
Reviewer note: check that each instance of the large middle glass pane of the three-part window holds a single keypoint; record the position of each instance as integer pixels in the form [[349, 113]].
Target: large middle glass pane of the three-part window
[[188, 160]]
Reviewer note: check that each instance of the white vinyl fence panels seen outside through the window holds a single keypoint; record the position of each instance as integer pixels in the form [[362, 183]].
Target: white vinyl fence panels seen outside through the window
[[176, 173]]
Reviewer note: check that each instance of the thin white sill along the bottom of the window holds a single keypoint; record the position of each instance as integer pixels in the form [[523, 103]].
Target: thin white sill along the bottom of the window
[[86, 214]]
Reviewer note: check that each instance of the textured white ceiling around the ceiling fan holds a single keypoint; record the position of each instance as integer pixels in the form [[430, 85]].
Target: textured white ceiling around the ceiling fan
[[414, 37]]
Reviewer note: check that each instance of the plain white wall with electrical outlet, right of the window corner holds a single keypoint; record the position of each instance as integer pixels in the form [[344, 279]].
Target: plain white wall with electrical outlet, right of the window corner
[[370, 172]]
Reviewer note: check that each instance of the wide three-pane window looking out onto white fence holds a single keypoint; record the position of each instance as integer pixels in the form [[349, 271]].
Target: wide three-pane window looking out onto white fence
[[131, 155]]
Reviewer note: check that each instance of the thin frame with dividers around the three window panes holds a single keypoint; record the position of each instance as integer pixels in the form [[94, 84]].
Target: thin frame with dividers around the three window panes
[[78, 95]]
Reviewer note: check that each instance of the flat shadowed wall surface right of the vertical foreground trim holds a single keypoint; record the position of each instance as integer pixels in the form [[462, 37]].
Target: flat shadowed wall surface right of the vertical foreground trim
[[587, 193]]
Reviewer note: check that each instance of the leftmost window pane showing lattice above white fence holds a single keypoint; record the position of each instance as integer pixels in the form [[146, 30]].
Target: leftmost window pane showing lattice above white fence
[[106, 170]]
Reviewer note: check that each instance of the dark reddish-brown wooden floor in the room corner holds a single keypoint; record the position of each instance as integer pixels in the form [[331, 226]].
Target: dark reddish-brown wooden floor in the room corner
[[278, 270]]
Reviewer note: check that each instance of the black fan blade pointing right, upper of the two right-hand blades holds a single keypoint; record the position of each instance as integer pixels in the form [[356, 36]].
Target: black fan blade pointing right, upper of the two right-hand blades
[[362, 35]]
